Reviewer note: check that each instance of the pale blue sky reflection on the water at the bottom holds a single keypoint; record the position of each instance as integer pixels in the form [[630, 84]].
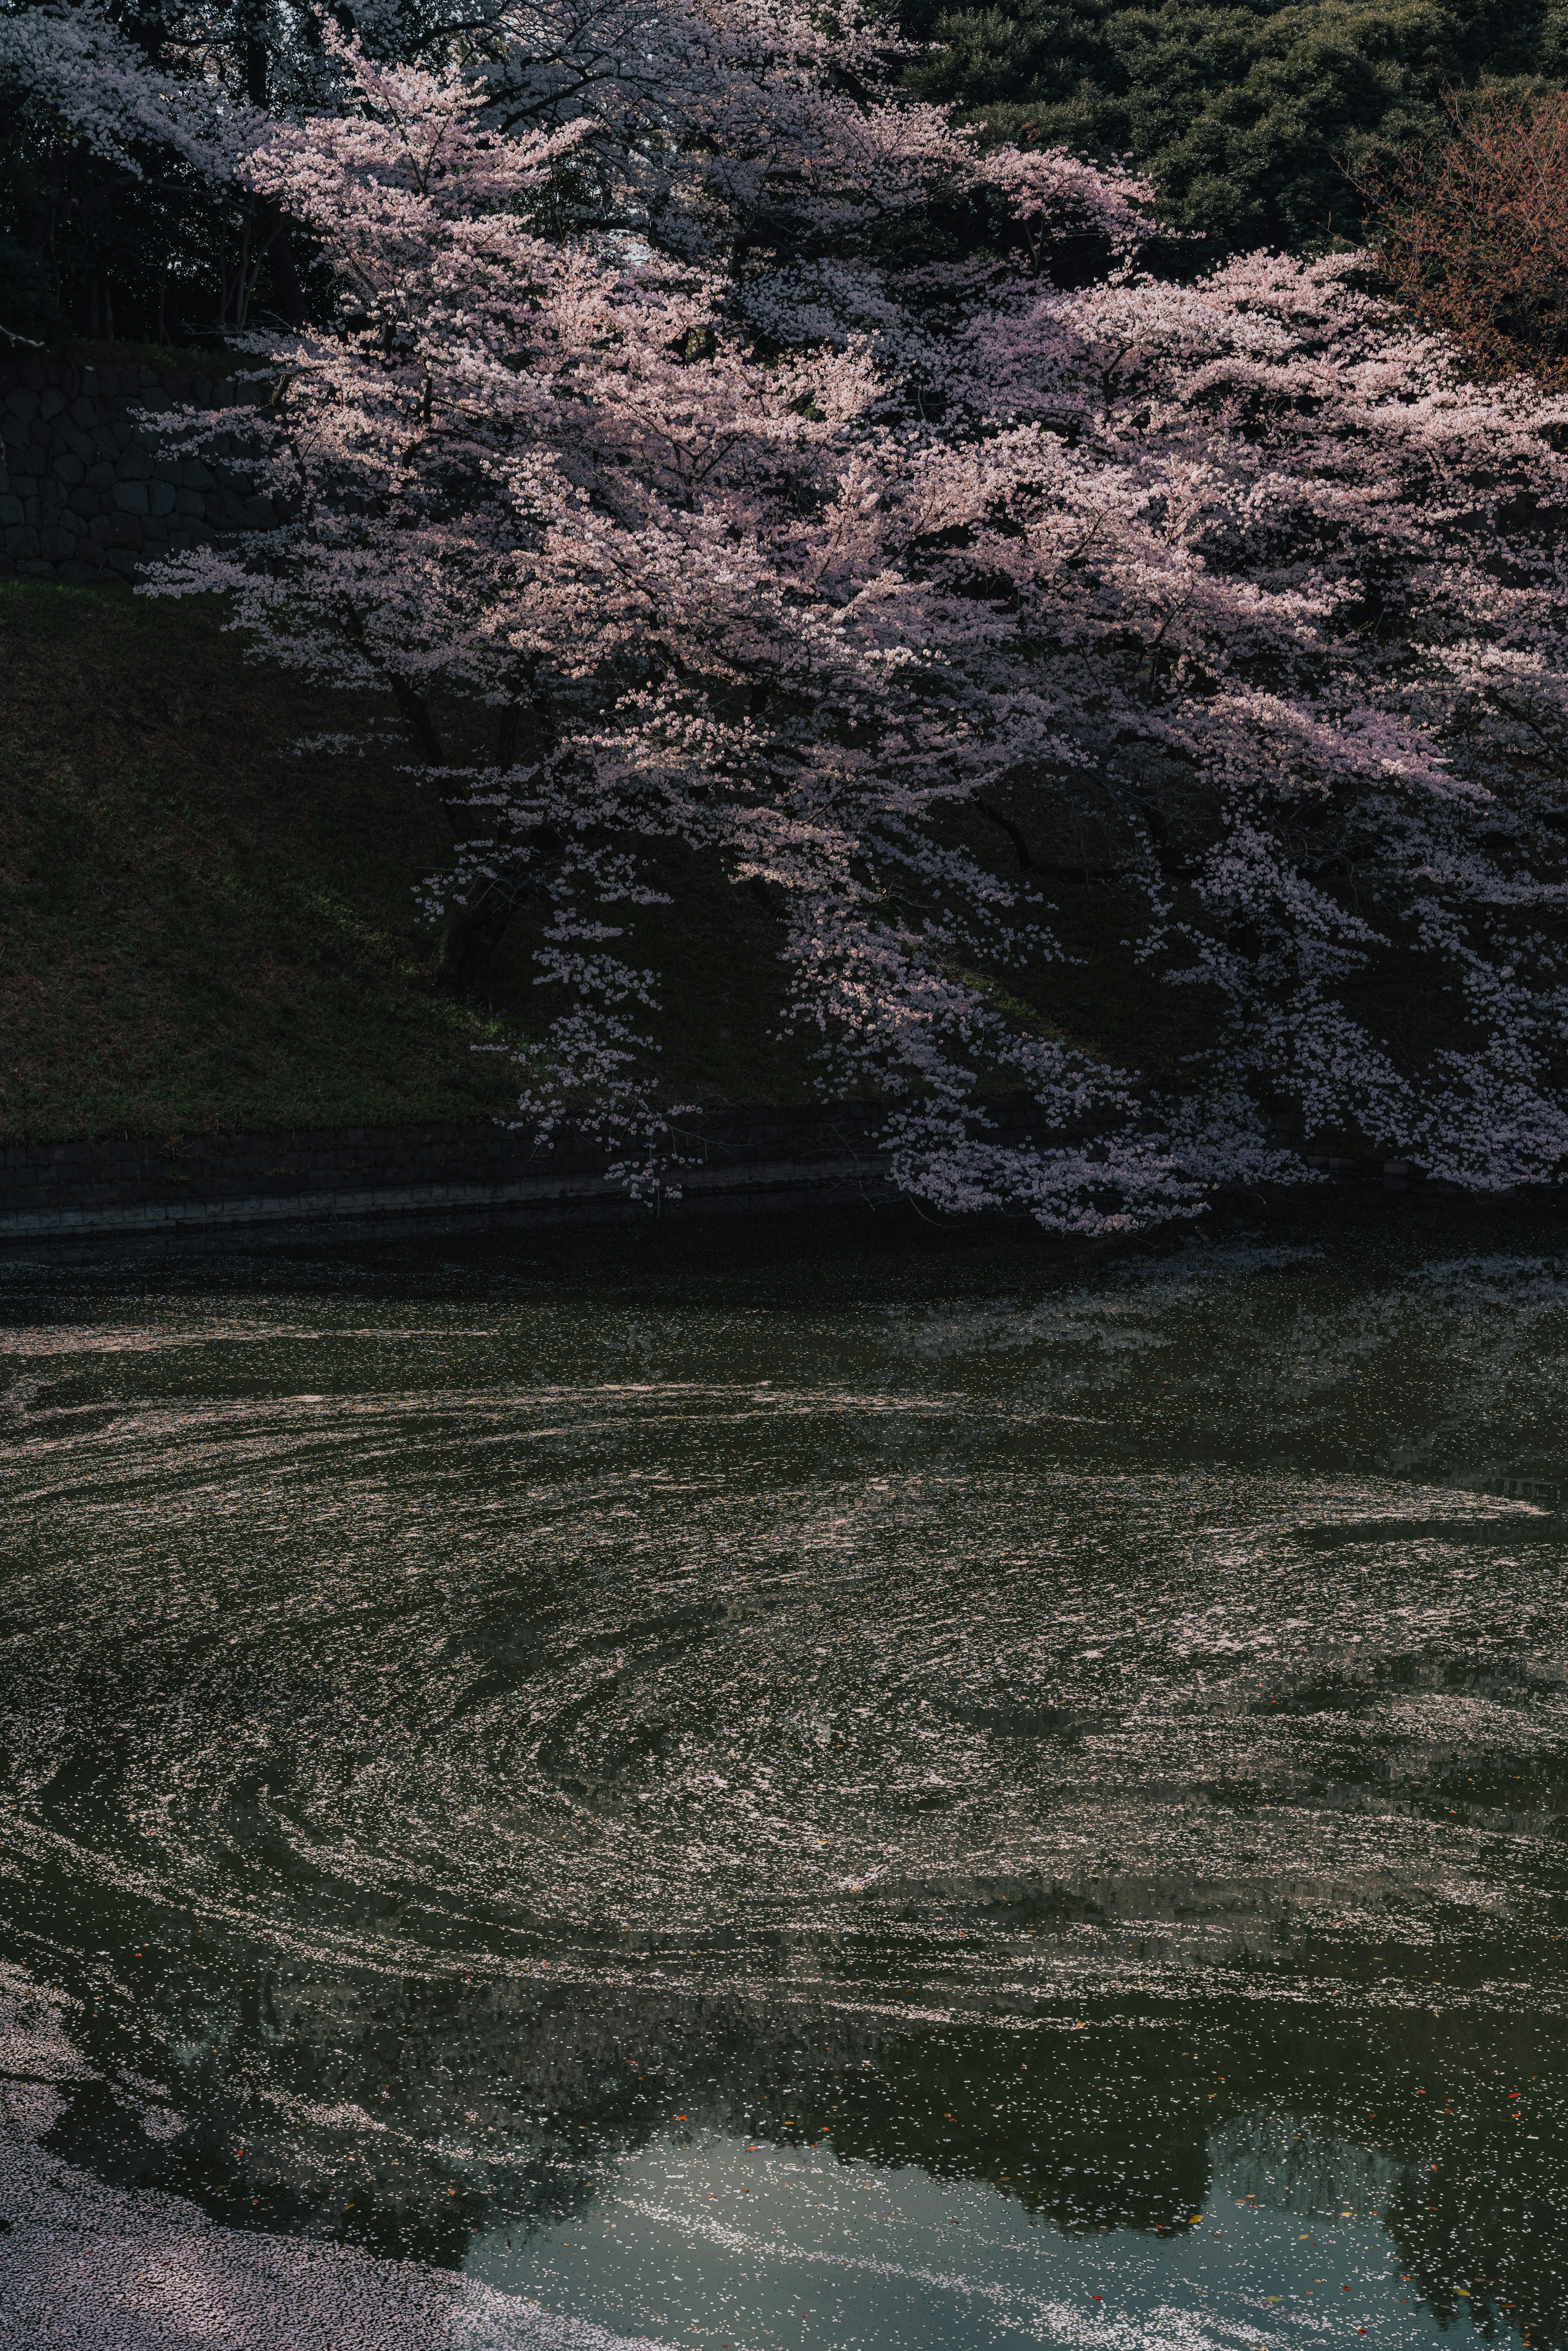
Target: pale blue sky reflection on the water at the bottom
[[721, 2232]]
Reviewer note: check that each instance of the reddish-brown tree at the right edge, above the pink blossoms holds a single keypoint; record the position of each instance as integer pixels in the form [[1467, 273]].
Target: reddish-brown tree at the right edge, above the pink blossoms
[[1473, 232]]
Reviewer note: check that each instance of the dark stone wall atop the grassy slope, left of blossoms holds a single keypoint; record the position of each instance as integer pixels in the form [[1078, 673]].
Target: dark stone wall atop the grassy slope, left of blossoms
[[83, 488]]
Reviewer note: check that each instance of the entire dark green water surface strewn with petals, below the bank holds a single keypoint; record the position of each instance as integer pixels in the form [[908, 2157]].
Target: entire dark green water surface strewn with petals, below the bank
[[845, 1800]]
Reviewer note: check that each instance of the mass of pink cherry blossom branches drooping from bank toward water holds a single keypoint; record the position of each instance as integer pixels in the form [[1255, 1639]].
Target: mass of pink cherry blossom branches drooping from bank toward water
[[925, 601]]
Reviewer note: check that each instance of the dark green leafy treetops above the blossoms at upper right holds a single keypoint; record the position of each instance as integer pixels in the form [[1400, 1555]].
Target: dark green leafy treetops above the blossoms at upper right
[[1245, 116]]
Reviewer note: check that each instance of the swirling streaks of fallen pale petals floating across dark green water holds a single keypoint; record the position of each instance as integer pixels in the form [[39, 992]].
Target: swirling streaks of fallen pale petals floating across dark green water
[[918, 1649]]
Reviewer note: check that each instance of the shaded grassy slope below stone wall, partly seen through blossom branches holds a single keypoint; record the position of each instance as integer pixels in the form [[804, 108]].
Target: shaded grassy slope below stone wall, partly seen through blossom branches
[[203, 932]]
